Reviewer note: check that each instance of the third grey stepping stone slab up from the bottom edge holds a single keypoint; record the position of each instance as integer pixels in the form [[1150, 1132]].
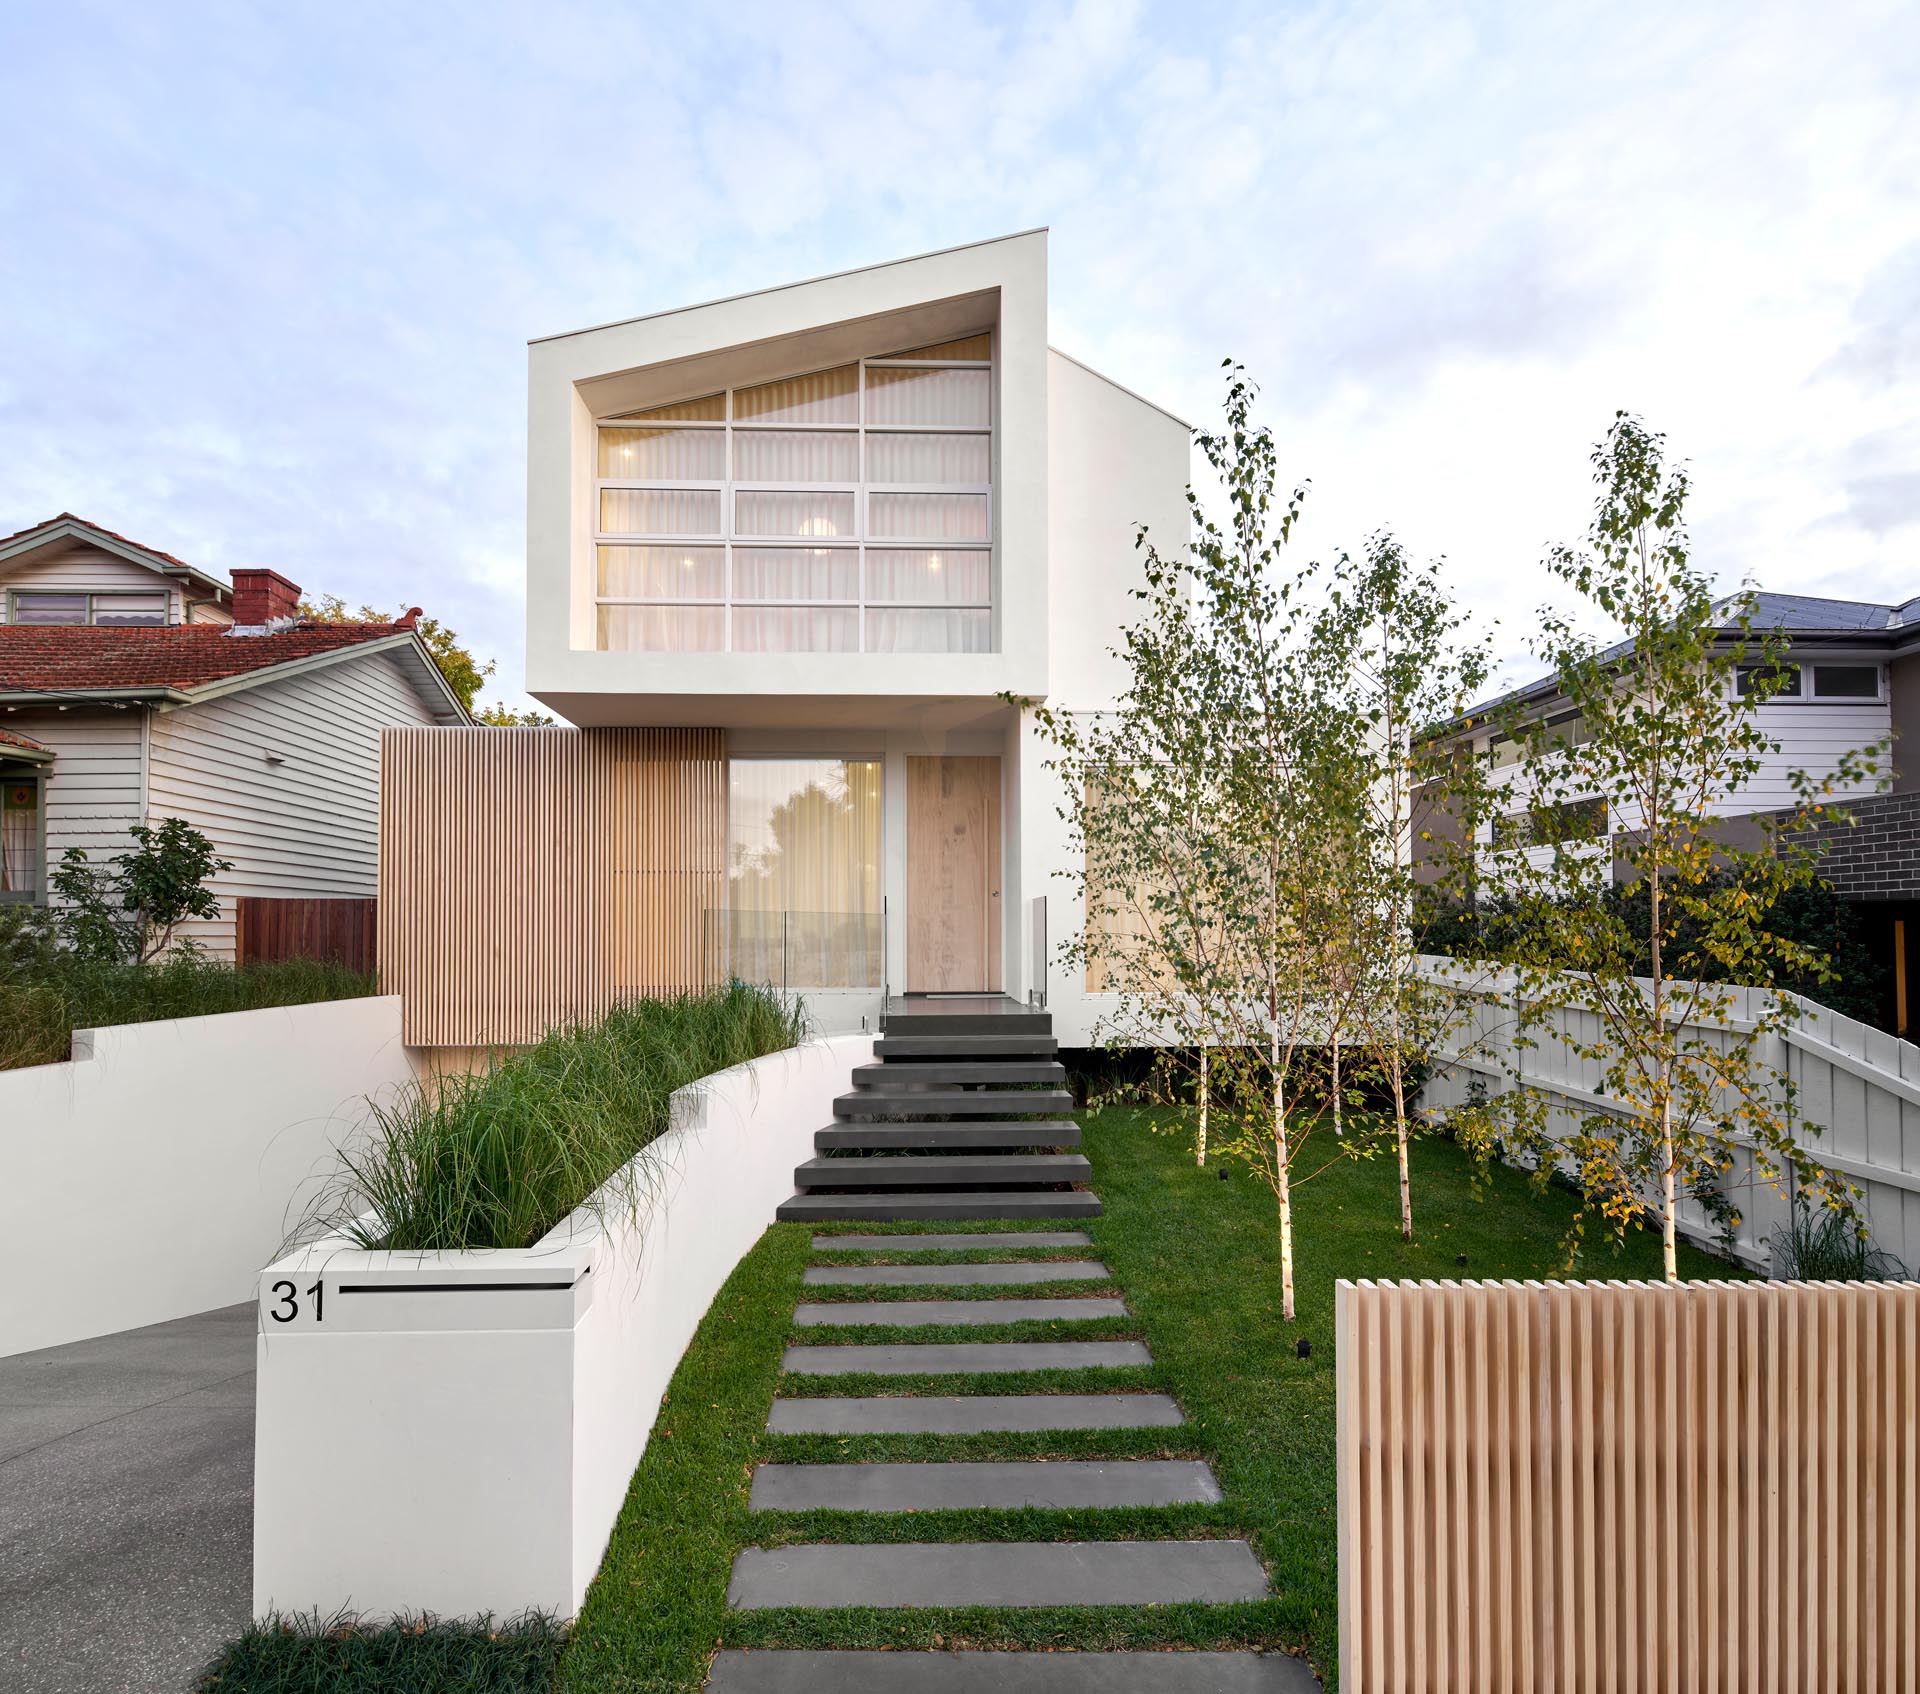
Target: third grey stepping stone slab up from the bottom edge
[[996, 1488]]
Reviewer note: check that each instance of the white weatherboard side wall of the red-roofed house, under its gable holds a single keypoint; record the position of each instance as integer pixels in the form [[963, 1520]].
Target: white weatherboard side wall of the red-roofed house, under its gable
[[304, 827]]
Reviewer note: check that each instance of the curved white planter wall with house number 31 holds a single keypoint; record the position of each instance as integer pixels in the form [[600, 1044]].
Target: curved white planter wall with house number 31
[[456, 1432]]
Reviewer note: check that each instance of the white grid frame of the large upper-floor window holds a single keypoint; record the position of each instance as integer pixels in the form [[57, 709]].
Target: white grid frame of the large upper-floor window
[[863, 493]]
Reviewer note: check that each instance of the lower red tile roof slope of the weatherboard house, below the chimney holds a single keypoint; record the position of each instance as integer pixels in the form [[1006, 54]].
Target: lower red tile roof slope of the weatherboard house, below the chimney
[[85, 660]]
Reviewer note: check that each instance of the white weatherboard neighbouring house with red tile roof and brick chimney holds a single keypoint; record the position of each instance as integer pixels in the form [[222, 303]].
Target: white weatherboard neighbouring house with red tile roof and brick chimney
[[135, 689]]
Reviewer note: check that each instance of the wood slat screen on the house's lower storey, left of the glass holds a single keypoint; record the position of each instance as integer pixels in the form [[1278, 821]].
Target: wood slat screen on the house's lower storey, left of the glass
[[537, 877]]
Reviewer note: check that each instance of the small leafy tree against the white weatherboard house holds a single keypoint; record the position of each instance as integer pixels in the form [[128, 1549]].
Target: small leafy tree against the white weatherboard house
[[130, 915]]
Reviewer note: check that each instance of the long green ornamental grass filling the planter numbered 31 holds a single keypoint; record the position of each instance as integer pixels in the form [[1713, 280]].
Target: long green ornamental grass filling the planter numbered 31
[[500, 1157]]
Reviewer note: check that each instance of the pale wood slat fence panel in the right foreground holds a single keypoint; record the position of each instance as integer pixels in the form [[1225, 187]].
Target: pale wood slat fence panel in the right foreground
[[1629, 1488]]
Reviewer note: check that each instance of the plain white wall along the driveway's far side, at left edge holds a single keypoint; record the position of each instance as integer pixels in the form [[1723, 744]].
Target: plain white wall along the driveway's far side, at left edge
[[155, 1173]]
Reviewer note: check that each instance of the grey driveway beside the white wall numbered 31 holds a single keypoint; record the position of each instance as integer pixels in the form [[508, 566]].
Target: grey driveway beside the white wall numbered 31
[[126, 1507]]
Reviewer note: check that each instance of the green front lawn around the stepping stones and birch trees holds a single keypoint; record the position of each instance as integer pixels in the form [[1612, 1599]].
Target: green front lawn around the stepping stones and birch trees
[[1195, 1259]]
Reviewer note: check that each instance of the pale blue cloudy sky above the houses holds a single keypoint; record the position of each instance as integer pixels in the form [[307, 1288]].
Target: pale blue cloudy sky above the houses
[[270, 270]]
